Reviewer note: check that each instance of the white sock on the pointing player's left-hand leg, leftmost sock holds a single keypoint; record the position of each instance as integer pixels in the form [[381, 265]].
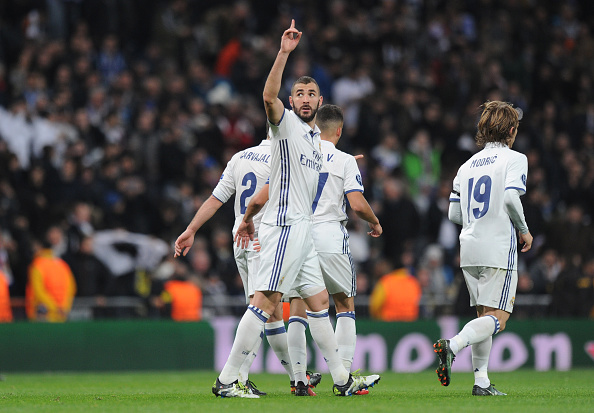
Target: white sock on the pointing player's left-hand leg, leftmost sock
[[246, 337]]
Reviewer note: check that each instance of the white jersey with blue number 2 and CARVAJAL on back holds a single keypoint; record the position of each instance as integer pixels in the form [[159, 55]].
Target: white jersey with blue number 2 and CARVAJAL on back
[[245, 174]]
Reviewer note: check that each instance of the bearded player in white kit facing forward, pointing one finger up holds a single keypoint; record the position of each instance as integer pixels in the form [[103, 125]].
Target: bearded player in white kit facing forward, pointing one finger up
[[288, 258]]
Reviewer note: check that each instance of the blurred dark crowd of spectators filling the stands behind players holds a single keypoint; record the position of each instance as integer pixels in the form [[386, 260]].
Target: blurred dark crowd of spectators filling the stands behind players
[[117, 118]]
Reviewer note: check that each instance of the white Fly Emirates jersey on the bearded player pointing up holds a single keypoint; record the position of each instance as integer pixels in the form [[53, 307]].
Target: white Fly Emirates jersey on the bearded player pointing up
[[296, 160]]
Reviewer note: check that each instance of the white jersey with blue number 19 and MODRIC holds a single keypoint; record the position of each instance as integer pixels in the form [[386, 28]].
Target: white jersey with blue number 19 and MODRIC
[[488, 236]]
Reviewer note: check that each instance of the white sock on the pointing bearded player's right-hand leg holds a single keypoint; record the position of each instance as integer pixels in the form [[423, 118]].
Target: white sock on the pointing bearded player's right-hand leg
[[322, 332]]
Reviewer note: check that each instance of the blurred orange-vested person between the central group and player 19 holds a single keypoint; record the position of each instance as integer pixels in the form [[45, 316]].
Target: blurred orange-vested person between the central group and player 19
[[396, 296]]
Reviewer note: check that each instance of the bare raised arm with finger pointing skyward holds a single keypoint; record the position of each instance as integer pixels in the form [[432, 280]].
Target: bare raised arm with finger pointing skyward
[[272, 104]]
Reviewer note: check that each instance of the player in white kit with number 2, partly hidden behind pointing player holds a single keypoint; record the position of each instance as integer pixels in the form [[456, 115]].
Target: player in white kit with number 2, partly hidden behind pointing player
[[245, 174]]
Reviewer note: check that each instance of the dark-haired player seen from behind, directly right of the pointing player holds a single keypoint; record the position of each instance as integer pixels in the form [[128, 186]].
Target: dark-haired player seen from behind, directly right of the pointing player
[[339, 176]]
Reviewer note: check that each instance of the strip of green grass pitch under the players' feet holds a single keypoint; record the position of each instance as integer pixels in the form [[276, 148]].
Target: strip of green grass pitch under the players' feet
[[529, 391]]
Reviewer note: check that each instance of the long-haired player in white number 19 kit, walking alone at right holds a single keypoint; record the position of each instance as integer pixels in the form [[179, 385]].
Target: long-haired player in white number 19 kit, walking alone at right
[[485, 200]]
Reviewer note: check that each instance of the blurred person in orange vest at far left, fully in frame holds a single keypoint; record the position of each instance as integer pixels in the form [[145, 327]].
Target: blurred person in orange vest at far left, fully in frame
[[51, 286]]
